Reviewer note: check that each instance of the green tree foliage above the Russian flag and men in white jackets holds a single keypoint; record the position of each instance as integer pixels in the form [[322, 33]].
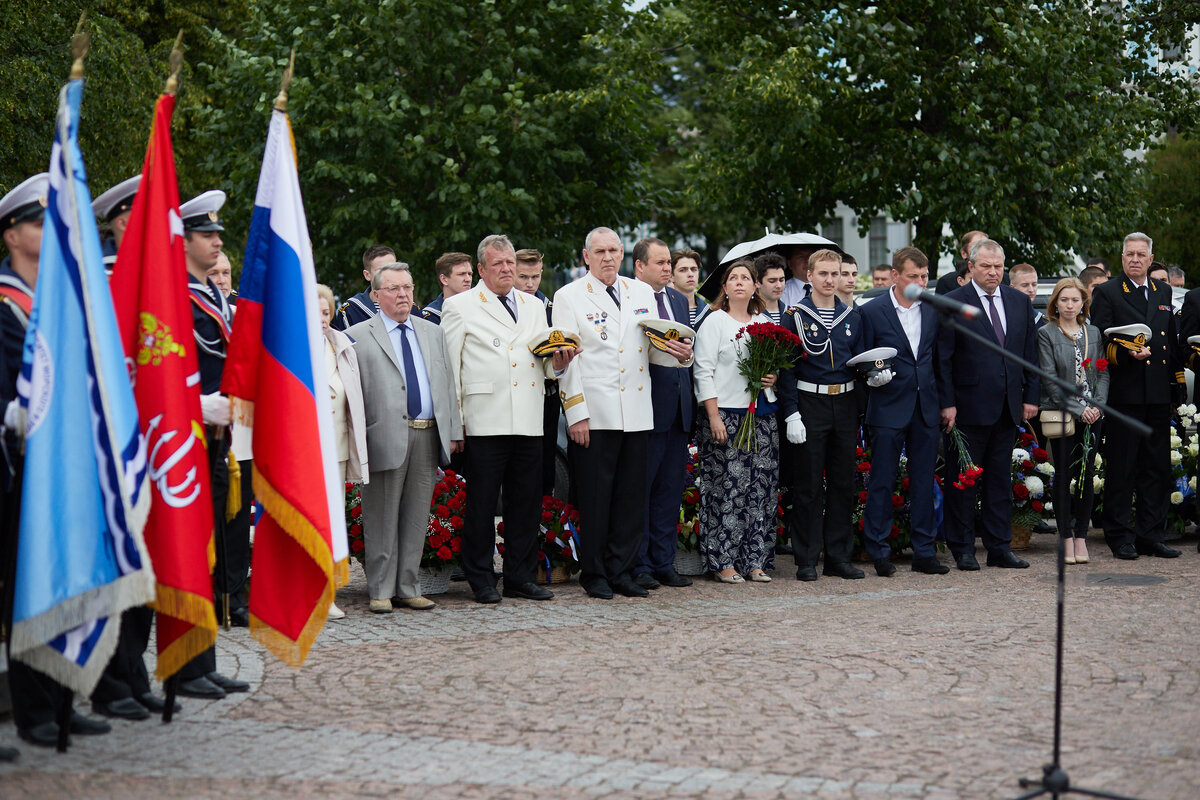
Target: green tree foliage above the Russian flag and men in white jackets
[[428, 125]]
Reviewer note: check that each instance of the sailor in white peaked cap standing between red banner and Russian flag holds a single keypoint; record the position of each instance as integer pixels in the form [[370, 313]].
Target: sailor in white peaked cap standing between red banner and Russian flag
[[212, 320]]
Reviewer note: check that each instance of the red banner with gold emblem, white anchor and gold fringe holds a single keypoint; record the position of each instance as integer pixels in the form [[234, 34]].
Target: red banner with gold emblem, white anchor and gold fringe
[[155, 321]]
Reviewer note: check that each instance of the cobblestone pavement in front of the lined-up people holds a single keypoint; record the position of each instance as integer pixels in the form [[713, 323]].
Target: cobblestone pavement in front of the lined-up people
[[923, 687]]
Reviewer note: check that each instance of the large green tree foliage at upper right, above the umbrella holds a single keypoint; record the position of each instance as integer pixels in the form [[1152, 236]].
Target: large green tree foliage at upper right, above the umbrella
[[1011, 117]]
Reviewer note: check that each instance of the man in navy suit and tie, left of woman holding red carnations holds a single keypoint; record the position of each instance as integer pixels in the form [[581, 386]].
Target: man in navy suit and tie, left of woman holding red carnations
[[675, 406]]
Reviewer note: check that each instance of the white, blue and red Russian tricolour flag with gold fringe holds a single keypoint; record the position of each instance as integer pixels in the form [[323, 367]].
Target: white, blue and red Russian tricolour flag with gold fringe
[[277, 362]]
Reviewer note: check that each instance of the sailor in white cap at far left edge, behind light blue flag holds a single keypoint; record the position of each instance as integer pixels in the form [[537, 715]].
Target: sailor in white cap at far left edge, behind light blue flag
[[35, 697]]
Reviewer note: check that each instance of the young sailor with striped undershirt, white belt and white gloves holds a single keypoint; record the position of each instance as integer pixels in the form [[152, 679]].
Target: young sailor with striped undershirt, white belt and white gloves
[[821, 412]]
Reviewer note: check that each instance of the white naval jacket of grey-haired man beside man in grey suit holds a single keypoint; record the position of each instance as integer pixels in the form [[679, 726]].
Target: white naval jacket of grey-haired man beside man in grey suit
[[501, 383]]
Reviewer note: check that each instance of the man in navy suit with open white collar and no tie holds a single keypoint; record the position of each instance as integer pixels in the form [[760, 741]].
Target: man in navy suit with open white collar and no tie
[[903, 416]]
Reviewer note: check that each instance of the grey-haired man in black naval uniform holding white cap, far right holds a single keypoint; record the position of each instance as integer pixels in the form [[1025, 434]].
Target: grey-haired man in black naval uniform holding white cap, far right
[[1145, 383]]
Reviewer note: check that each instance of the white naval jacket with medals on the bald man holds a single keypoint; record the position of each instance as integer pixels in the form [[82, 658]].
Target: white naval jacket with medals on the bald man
[[609, 383]]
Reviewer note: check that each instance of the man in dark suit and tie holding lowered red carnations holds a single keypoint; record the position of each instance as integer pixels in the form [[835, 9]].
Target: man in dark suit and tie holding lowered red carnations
[[987, 398]]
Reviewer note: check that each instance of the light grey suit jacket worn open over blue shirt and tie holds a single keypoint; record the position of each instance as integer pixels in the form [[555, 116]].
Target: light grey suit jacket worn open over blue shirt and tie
[[385, 399]]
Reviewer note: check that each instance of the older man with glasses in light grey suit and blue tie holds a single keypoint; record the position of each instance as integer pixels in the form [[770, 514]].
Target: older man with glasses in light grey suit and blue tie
[[413, 425]]
